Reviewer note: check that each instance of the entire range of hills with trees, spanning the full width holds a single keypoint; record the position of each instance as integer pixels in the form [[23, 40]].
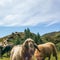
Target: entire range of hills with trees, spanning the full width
[[19, 37]]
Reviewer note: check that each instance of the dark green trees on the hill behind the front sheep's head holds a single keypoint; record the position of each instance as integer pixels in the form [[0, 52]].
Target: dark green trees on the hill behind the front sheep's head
[[27, 34]]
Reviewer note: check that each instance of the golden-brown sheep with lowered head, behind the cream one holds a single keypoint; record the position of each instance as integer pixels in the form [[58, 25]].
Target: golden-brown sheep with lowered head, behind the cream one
[[45, 51]]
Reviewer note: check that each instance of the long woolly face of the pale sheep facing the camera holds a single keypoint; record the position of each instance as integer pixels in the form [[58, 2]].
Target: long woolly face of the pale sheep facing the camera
[[30, 45]]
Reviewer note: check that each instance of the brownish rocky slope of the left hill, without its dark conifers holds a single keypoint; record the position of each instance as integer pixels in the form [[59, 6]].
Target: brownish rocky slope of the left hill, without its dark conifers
[[15, 36]]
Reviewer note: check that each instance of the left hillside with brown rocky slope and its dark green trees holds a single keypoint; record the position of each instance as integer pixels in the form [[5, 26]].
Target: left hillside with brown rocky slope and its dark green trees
[[19, 37]]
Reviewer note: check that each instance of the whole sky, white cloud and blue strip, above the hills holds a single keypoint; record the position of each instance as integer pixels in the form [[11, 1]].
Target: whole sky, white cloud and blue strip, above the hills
[[41, 16]]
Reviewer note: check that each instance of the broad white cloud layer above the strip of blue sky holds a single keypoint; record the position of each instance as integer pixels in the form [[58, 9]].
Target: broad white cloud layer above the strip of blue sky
[[29, 12]]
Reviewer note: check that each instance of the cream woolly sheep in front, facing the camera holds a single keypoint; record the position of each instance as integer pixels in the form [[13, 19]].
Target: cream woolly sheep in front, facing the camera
[[24, 51]]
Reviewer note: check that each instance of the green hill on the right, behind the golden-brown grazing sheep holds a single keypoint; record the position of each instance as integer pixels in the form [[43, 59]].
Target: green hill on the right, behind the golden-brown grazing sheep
[[52, 37]]
